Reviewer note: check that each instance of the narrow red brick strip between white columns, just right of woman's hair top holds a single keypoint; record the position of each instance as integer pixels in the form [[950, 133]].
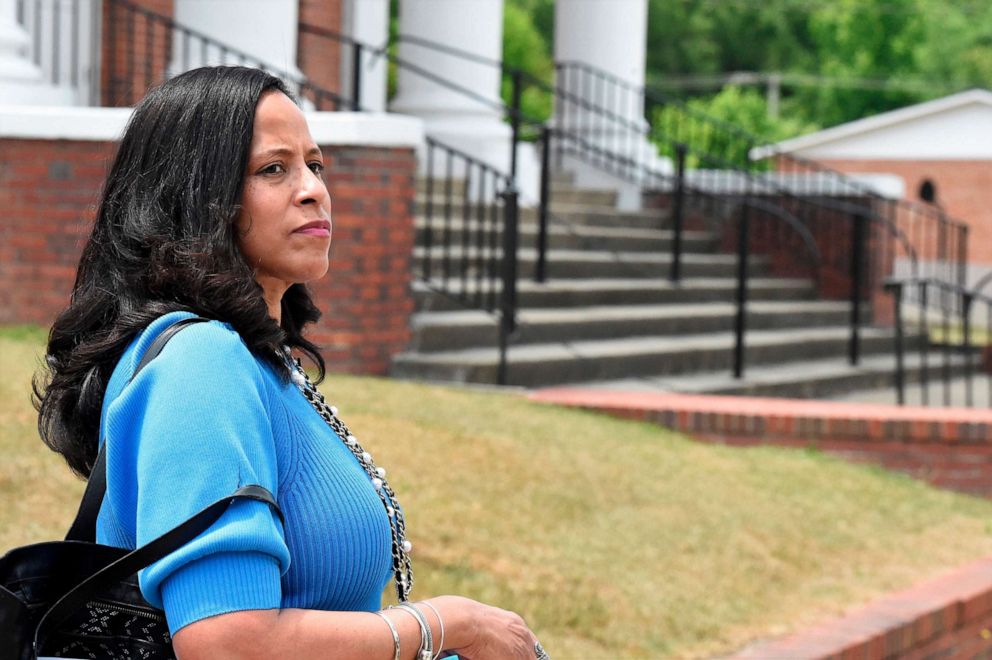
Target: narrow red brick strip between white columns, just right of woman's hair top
[[319, 58]]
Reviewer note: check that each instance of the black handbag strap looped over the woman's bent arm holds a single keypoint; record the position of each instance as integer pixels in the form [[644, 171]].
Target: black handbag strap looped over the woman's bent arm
[[147, 554]]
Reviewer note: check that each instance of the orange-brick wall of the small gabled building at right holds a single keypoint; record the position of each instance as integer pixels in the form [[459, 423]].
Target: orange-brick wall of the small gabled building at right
[[962, 190]]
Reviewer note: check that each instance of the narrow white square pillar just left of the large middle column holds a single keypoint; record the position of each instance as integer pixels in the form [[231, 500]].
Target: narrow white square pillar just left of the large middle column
[[366, 21]]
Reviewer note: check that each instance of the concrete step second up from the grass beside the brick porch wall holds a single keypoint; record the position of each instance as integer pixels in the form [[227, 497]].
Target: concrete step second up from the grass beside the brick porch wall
[[442, 331]]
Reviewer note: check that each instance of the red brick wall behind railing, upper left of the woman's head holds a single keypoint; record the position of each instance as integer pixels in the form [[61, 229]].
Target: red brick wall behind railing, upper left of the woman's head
[[135, 51]]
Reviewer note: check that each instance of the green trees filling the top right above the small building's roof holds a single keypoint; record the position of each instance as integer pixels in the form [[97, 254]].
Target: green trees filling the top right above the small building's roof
[[841, 59]]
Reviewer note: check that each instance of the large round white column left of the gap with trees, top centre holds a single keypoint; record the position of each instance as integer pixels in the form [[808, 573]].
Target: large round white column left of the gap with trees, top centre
[[470, 125]]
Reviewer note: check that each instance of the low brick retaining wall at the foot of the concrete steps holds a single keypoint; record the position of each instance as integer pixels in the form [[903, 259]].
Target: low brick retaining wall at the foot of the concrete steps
[[948, 447]]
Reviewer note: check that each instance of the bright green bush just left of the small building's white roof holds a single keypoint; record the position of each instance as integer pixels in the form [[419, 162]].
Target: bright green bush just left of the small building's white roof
[[720, 130]]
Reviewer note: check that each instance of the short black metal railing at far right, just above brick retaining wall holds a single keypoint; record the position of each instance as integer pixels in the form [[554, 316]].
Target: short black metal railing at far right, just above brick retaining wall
[[955, 307]]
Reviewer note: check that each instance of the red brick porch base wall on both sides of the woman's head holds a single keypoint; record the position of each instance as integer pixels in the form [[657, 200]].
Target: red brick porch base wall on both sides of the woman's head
[[48, 190]]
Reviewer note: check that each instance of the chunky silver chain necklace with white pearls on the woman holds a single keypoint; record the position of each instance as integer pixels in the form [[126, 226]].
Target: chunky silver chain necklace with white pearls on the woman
[[401, 547]]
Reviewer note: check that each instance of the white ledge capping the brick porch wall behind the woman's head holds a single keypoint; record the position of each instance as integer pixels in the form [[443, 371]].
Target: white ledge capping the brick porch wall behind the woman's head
[[107, 125]]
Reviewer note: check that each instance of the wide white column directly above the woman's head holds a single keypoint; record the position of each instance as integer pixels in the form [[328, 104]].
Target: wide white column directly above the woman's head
[[264, 29]]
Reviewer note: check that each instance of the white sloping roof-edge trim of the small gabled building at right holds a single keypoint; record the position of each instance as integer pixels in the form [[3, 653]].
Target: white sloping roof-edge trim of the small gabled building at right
[[876, 122]]
